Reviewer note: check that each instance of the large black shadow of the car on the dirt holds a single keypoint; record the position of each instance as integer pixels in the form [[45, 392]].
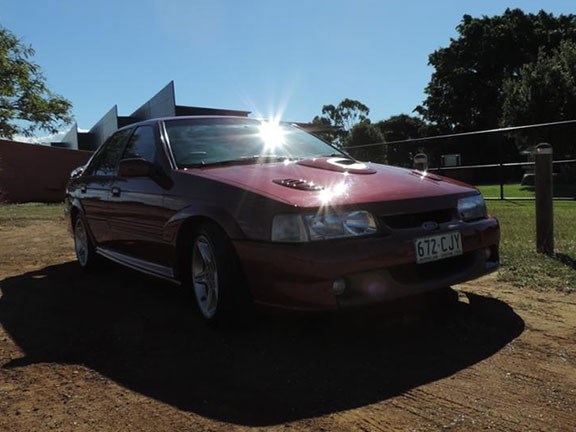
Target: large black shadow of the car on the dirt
[[139, 332]]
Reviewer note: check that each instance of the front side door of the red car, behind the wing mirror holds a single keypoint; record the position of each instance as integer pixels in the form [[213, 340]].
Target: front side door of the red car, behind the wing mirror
[[138, 214]]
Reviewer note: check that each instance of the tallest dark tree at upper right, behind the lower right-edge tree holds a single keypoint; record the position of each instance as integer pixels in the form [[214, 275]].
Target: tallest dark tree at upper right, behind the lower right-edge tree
[[466, 89]]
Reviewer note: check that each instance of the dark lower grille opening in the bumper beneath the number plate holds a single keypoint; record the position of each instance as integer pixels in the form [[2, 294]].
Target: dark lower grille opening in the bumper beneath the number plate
[[409, 274]]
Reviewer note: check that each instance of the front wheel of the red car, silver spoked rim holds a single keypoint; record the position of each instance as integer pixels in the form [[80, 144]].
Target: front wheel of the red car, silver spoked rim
[[216, 276]]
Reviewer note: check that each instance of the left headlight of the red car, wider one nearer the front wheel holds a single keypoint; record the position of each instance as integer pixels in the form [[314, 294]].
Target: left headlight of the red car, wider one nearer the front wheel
[[322, 226]]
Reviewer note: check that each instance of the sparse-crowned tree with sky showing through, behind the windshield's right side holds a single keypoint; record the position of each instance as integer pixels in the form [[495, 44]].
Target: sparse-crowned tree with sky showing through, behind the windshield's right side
[[339, 120]]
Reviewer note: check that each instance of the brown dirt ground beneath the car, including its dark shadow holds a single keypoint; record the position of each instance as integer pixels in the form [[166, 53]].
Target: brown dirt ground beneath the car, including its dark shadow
[[119, 351]]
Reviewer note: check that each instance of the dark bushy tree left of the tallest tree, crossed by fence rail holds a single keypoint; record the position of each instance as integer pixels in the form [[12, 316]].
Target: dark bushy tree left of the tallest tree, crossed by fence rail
[[400, 128]]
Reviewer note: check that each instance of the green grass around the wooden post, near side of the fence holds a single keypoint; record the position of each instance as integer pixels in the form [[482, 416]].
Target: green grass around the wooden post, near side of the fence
[[521, 264]]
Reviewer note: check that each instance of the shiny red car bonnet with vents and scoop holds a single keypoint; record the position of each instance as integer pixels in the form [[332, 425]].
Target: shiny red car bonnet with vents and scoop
[[320, 181]]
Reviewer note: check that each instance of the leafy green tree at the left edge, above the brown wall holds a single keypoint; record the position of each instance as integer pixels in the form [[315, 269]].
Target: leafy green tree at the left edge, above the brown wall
[[26, 104]]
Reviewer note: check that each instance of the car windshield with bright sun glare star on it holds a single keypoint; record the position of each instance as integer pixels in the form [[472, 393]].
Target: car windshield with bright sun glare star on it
[[209, 141]]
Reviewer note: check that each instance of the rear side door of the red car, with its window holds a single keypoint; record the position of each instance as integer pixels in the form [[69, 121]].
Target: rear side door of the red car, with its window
[[94, 186]]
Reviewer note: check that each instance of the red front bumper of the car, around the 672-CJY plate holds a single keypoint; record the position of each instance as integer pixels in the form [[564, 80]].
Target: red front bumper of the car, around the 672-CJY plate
[[378, 269]]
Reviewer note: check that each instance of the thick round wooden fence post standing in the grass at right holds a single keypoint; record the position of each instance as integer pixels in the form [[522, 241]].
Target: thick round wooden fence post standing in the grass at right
[[544, 199]]
